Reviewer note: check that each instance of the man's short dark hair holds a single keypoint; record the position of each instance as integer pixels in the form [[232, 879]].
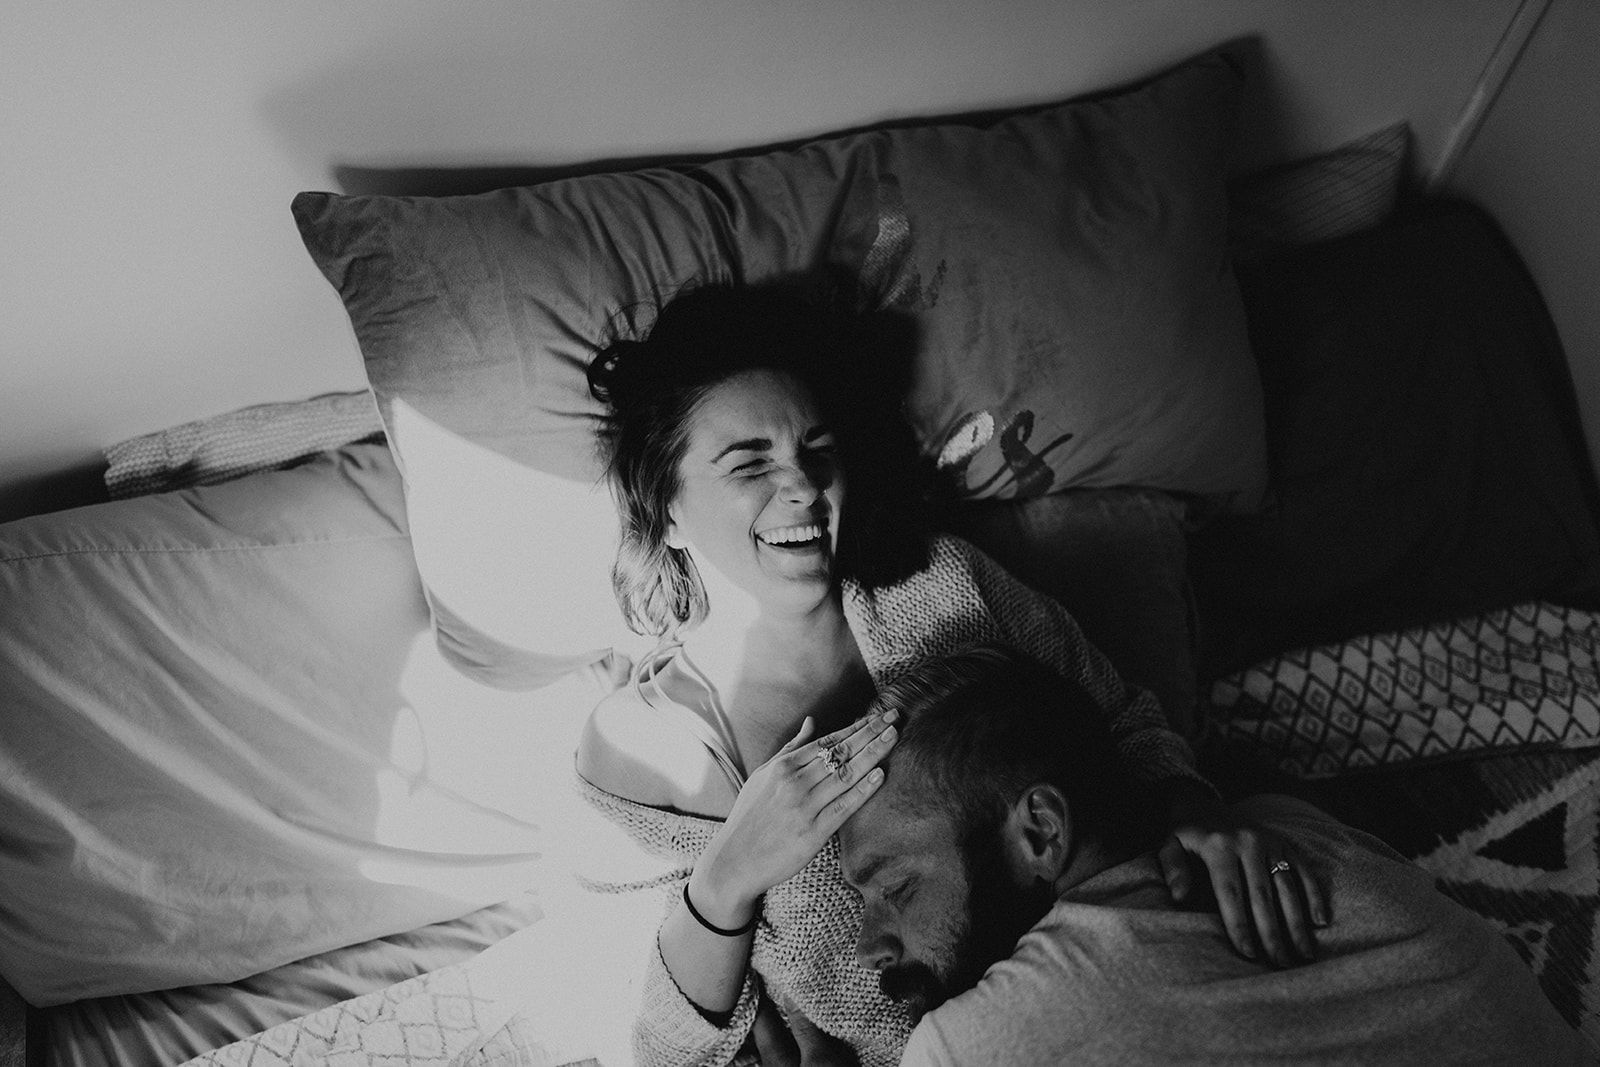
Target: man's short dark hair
[[985, 724]]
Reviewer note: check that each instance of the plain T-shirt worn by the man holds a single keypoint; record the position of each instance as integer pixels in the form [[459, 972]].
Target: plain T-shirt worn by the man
[[1114, 975]]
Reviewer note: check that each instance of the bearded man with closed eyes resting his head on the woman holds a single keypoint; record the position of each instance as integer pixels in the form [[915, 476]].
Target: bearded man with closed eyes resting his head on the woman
[[1014, 897]]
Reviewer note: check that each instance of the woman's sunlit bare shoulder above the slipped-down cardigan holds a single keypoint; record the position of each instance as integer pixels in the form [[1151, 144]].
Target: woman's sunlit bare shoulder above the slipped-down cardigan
[[633, 751]]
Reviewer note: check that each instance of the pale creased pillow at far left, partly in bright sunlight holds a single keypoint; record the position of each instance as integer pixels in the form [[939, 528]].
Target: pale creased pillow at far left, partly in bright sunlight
[[230, 740]]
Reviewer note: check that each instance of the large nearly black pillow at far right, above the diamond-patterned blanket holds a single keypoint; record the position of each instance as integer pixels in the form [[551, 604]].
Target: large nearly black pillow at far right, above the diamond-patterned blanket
[[1425, 450]]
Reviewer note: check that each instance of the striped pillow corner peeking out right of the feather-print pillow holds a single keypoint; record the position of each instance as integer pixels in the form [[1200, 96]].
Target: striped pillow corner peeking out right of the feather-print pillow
[[1353, 188]]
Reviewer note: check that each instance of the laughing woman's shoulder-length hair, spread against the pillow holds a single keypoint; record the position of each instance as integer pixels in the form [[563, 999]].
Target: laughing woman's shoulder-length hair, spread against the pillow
[[857, 366]]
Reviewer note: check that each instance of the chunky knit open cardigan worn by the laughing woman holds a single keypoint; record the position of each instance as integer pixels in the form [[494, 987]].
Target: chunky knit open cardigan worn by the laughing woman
[[806, 943]]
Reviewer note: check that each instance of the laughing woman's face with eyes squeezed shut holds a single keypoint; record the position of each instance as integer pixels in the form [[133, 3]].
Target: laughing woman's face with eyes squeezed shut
[[761, 490]]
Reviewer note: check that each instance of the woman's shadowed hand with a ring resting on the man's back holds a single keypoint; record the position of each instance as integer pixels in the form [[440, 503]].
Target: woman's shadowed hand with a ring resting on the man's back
[[1268, 895]]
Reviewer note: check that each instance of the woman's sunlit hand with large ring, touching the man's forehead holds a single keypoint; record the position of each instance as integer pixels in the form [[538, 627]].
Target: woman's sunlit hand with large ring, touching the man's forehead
[[786, 813]]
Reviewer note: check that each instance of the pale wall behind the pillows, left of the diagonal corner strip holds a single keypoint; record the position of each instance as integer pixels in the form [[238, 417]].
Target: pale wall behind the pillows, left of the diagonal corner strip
[[150, 151]]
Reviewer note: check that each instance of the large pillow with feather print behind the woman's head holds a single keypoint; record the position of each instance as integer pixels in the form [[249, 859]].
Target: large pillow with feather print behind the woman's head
[[1066, 270]]
